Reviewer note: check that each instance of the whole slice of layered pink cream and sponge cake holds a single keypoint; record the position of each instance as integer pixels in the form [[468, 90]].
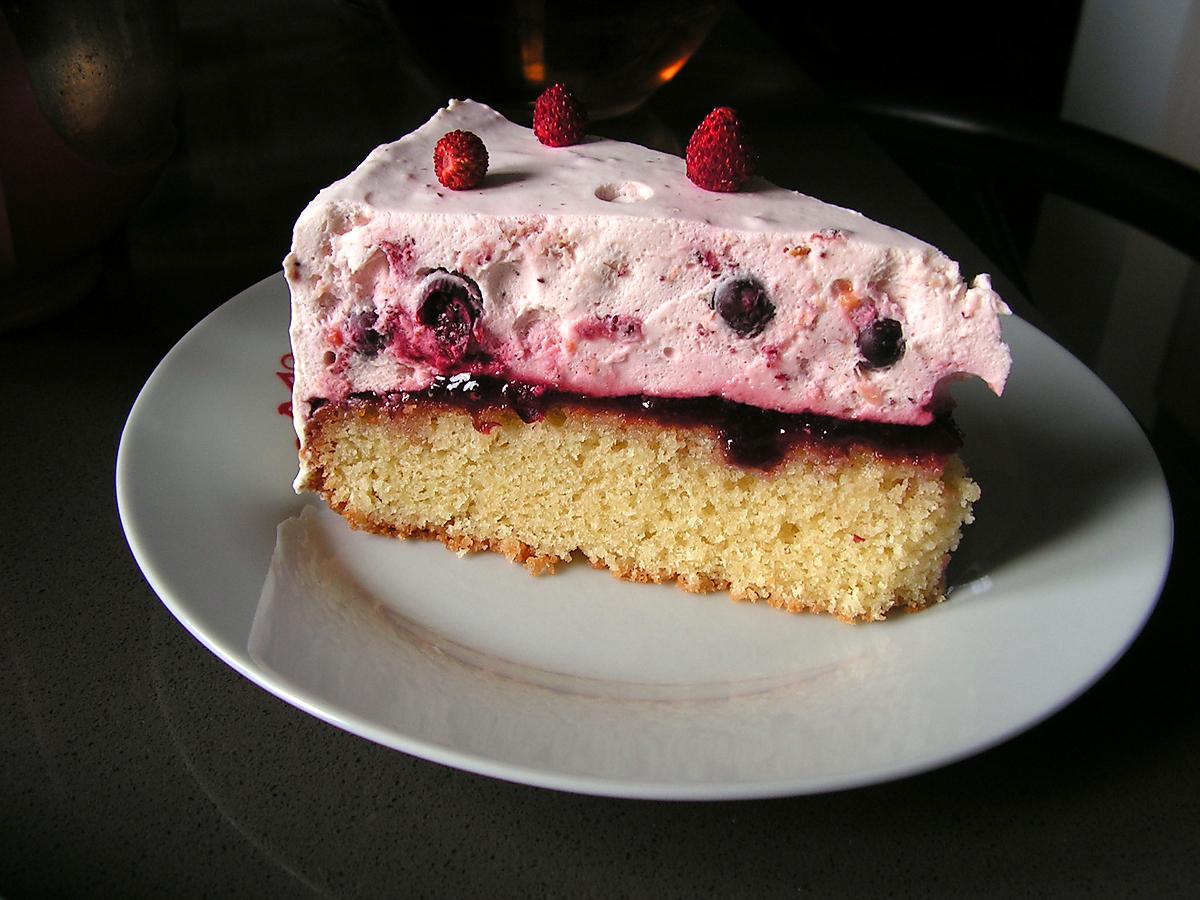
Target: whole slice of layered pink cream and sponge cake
[[589, 356]]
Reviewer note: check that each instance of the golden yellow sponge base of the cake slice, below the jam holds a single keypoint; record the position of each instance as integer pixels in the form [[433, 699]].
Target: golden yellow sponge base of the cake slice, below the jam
[[853, 533]]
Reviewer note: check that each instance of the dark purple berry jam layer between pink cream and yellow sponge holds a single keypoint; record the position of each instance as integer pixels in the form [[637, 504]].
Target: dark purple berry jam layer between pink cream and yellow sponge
[[749, 437]]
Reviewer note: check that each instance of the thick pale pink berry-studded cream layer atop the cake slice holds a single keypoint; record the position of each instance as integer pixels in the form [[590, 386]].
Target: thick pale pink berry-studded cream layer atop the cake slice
[[597, 271]]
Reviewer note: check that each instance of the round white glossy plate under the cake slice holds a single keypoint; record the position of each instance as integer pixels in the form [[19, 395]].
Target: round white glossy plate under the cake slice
[[586, 683]]
